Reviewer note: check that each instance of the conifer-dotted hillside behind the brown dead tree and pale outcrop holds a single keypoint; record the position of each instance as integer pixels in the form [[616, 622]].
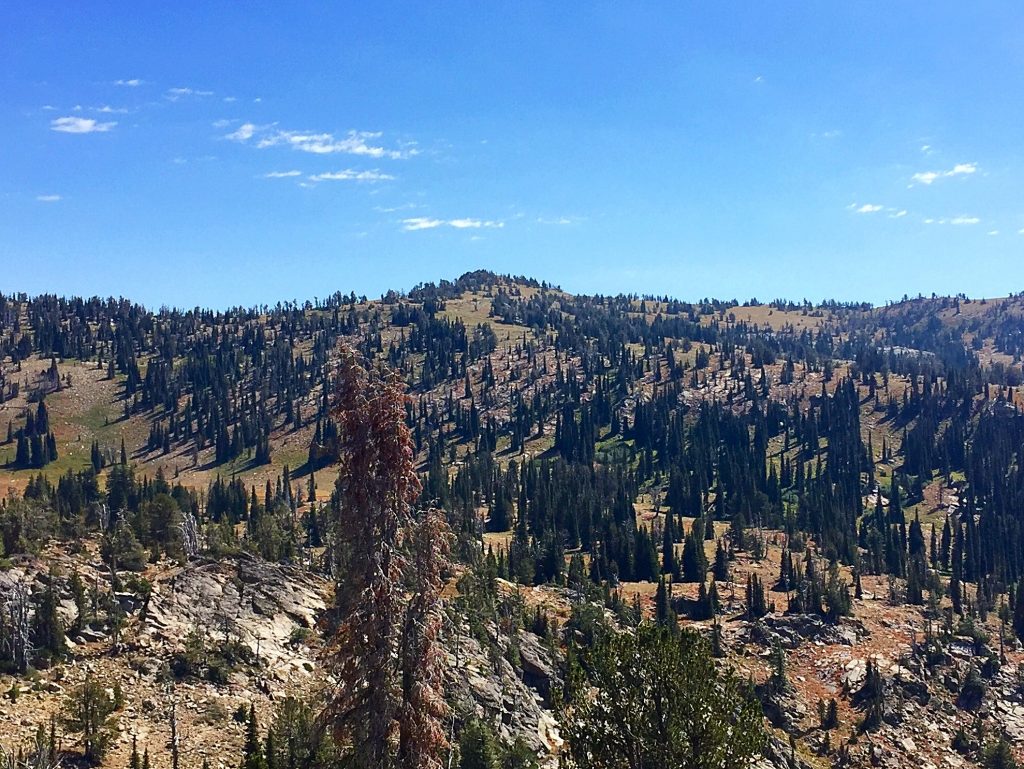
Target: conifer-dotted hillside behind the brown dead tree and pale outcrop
[[793, 481]]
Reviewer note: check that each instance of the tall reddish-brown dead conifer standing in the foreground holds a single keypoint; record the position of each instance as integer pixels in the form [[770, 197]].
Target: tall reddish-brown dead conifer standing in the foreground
[[389, 704]]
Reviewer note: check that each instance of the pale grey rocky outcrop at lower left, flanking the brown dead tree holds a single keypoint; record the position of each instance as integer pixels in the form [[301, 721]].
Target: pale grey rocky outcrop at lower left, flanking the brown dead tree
[[217, 635]]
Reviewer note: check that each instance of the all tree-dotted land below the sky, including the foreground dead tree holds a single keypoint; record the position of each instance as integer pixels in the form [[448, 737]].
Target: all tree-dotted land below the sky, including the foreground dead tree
[[638, 509]]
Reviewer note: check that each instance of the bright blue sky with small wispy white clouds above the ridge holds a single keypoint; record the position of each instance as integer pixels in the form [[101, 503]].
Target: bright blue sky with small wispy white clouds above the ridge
[[221, 155]]
